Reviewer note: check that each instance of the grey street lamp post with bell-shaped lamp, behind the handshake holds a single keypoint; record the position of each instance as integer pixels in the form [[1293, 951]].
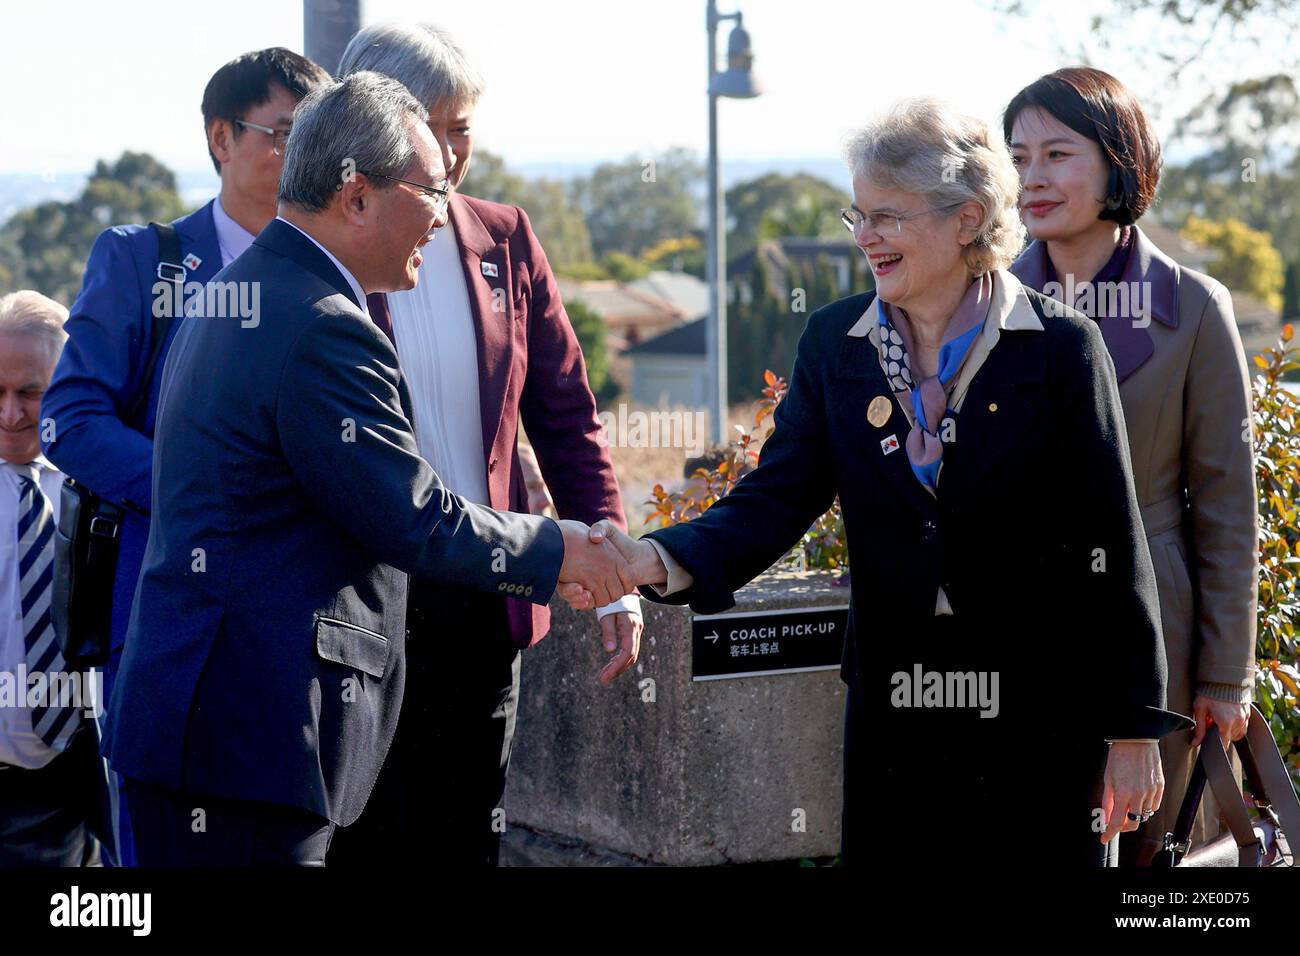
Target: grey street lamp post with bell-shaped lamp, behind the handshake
[[736, 83]]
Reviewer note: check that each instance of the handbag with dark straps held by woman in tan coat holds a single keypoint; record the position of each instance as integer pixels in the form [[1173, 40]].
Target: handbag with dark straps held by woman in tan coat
[[1269, 841]]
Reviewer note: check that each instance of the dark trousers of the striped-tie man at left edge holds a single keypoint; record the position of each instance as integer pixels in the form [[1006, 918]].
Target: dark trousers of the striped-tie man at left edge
[[45, 812]]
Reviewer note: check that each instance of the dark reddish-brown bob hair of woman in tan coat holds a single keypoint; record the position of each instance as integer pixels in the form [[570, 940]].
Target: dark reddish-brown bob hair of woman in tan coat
[[1099, 107]]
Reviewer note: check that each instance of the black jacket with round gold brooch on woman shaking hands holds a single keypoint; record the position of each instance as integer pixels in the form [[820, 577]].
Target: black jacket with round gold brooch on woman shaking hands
[[1035, 482]]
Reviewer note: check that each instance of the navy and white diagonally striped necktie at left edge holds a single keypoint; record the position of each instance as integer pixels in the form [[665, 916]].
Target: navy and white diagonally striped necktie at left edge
[[54, 725]]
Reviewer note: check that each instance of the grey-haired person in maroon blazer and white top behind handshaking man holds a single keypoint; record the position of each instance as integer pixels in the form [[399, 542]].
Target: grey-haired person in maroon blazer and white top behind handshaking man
[[486, 345]]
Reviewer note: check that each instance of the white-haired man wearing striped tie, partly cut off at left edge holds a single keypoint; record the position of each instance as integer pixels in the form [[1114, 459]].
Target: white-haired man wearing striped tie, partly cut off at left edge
[[49, 754]]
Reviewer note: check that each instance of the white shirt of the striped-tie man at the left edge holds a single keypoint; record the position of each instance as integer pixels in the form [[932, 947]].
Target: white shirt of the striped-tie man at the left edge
[[19, 742]]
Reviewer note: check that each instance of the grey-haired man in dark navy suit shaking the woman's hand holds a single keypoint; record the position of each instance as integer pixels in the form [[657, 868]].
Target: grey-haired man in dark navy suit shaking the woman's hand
[[265, 664]]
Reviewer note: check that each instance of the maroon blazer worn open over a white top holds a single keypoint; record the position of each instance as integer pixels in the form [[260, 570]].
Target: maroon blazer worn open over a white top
[[530, 367]]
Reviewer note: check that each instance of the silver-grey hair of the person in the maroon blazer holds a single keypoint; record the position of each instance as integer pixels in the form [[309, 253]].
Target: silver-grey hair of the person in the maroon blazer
[[422, 57]]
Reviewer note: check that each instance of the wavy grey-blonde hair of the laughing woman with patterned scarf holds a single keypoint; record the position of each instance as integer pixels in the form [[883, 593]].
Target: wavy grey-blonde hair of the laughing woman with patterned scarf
[[922, 146]]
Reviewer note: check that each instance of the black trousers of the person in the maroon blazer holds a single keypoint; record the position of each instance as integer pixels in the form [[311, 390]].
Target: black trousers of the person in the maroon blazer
[[441, 791]]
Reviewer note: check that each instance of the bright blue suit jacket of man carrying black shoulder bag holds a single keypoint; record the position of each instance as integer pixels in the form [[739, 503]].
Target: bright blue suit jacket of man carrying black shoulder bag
[[98, 378]]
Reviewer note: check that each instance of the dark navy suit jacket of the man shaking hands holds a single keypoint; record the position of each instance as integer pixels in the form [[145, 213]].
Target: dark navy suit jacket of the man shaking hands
[[265, 657]]
